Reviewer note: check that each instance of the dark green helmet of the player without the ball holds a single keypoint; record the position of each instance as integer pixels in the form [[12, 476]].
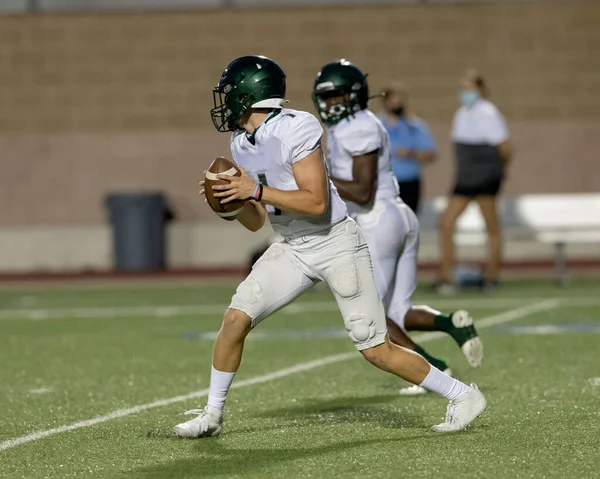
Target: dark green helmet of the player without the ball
[[344, 80]]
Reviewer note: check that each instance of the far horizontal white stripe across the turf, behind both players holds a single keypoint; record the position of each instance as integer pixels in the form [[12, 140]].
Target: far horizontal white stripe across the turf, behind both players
[[159, 311]]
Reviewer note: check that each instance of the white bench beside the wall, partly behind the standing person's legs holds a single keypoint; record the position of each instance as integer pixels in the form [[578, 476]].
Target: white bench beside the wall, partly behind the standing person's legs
[[556, 219]]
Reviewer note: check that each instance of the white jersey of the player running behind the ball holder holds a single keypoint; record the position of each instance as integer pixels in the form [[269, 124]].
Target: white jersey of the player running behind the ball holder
[[357, 135]]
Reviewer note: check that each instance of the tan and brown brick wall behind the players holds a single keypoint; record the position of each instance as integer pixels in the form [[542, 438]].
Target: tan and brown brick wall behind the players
[[92, 103]]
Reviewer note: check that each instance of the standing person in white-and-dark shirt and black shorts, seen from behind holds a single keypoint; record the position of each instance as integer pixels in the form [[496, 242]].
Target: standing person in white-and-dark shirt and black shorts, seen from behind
[[482, 152]]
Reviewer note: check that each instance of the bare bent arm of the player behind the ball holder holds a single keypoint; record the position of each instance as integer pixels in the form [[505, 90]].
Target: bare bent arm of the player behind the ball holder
[[361, 188]]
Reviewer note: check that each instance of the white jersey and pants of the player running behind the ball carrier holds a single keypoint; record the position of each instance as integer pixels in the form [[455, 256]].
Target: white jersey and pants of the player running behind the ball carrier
[[387, 223]]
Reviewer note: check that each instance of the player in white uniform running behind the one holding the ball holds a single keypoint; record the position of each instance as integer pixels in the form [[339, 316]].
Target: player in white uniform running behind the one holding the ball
[[361, 169]]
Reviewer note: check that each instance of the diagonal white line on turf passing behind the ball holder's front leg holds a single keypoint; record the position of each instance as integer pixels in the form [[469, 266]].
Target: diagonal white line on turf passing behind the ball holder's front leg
[[298, 368]]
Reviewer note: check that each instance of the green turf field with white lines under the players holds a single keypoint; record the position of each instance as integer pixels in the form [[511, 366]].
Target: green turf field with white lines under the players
[[93, 379]]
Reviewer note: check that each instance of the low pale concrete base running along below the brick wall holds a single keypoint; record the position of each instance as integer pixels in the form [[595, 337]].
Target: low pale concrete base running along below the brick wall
[[210, 245]]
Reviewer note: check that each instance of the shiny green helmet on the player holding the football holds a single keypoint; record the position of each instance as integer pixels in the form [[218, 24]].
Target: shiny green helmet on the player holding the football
[[248, 82]]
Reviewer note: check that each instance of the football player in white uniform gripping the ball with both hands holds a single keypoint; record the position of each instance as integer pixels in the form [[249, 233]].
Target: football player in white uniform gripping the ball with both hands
[[284, 175]]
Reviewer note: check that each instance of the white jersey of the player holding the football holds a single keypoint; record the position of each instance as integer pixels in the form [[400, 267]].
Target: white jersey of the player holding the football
[[285, 137]]
